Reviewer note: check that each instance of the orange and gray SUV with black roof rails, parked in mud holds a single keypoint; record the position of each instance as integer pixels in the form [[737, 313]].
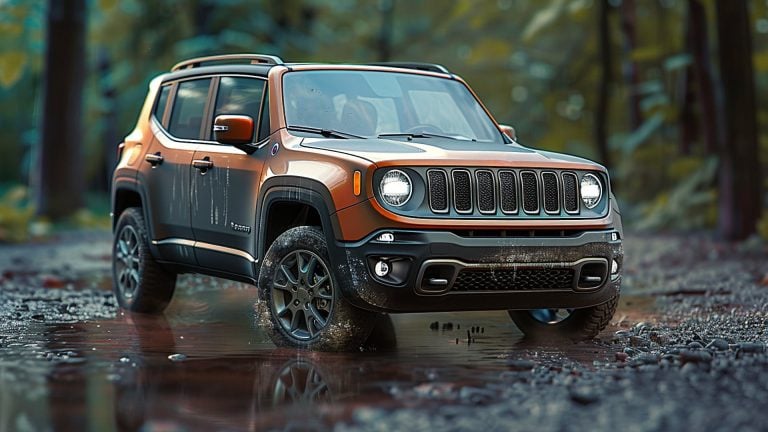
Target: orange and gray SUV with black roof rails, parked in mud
[[348, 191]]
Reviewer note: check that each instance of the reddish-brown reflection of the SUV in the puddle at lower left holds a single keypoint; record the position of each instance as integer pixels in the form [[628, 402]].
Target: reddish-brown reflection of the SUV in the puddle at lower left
[[278, 389]]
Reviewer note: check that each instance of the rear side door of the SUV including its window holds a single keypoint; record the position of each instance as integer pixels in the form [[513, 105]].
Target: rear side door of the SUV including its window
[[167, 171]]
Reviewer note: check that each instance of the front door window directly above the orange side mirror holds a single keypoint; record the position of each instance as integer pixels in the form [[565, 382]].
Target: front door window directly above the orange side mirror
[[241, 96]]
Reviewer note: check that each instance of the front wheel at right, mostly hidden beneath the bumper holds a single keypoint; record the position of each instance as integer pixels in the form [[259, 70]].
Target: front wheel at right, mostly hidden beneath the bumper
[[576, 324]]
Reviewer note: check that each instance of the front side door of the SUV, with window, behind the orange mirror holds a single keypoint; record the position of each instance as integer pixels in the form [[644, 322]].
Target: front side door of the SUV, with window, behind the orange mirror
[[226, 182]]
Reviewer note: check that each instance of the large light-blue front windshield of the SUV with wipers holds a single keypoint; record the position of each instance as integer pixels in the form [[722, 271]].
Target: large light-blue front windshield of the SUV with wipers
[[372, 104]]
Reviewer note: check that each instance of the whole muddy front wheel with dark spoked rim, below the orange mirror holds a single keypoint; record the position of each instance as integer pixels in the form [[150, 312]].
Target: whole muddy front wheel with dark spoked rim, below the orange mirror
[[305, 307]]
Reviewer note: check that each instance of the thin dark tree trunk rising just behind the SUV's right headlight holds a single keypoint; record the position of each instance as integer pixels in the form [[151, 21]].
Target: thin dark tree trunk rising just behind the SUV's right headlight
[[601, 111]]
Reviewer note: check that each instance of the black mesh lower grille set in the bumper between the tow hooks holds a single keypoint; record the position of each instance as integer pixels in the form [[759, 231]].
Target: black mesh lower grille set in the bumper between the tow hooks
[[514, 280]]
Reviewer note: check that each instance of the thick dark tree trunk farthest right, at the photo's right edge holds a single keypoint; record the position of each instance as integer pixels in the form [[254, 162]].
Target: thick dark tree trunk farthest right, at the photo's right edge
[[739, 173]]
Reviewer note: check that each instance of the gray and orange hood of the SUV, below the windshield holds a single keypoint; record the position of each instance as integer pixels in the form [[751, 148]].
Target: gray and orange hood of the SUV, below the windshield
[[435, 152]]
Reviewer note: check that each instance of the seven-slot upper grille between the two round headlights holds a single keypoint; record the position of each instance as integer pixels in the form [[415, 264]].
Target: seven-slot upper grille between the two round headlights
[[485, 191]]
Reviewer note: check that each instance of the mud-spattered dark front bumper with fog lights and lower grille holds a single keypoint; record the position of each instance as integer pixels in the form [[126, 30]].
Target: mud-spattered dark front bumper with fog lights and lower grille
[[435, 271]]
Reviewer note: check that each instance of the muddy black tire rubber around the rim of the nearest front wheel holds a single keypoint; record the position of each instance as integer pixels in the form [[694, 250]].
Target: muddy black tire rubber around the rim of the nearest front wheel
[[346, 328]]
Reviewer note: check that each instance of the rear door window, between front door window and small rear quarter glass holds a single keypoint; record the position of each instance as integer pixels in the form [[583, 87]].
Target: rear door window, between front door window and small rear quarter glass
[[188, 107]]
